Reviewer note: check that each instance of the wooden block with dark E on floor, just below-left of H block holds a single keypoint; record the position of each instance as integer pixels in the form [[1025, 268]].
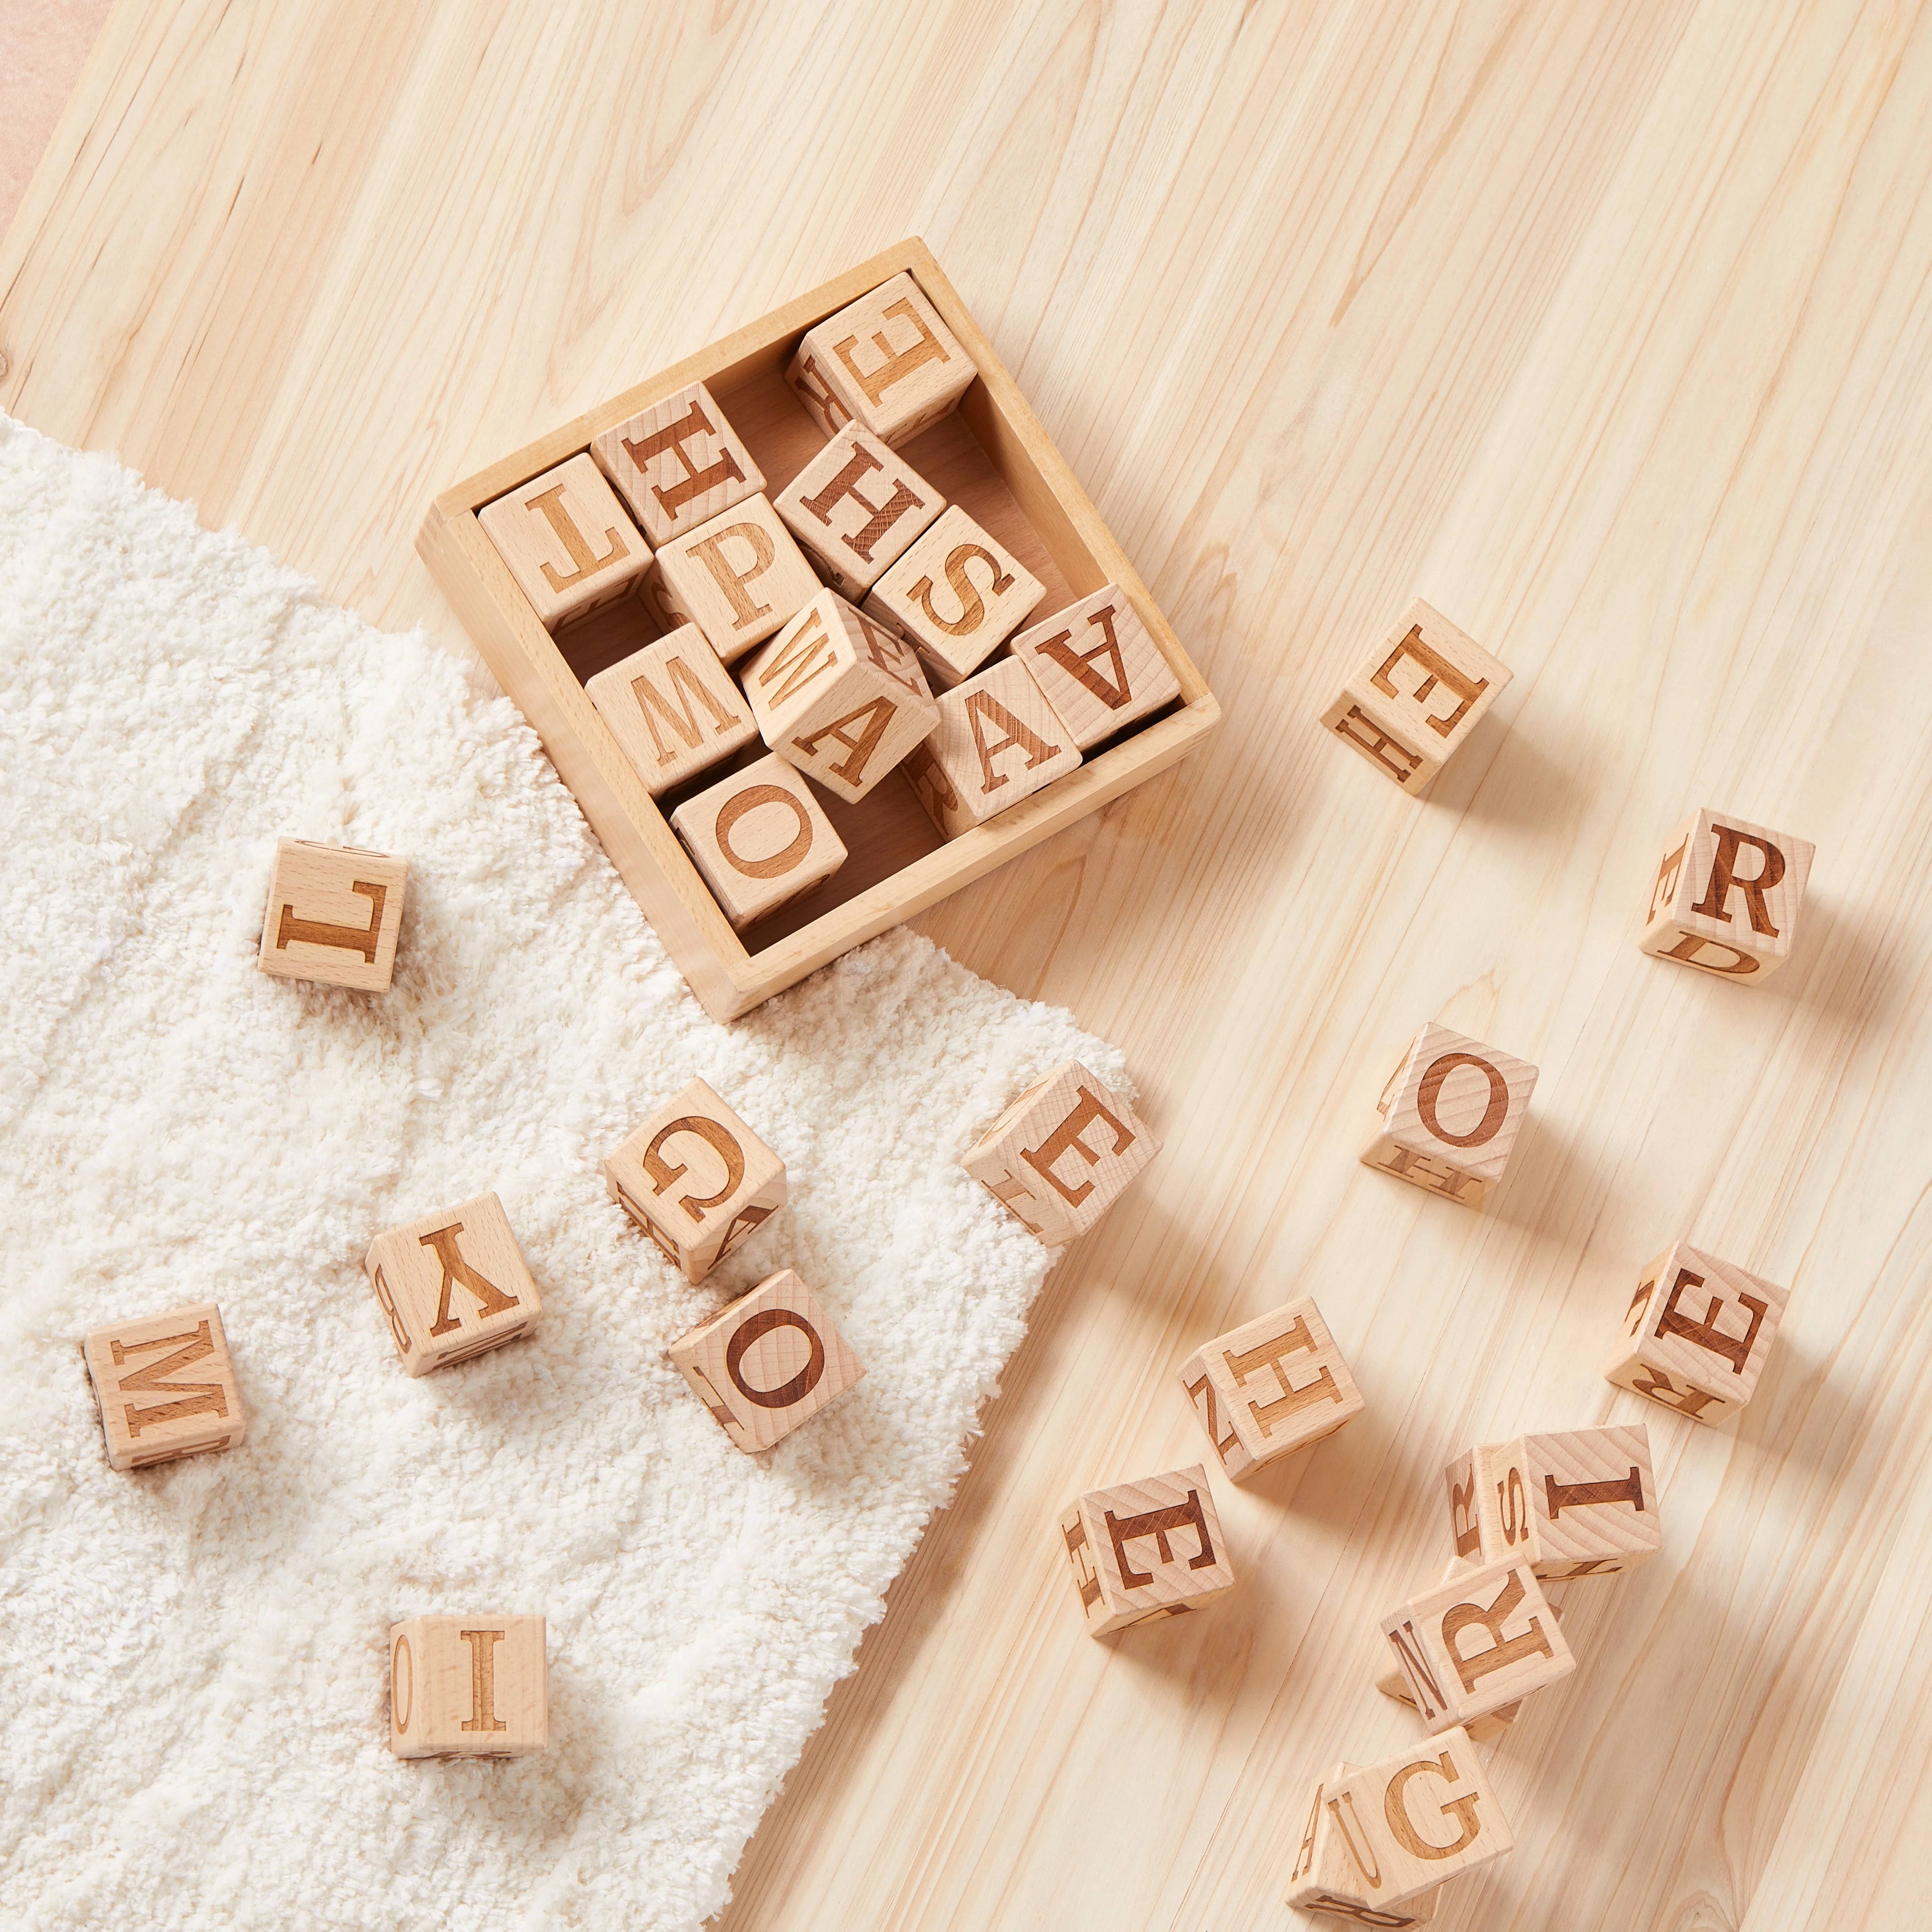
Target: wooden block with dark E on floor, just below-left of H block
[[1147, 1550]]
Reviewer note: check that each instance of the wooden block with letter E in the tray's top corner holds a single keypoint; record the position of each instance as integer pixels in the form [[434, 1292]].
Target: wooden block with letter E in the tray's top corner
[[886, 362]]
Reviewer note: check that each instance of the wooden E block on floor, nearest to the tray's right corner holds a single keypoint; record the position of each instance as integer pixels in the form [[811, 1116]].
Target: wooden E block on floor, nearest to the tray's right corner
[[1417, 698]]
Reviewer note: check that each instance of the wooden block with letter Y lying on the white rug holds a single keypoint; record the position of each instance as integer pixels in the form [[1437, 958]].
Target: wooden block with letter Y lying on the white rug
[[453, 1286]]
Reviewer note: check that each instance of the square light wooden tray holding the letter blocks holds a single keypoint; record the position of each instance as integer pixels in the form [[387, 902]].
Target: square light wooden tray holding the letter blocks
[[994, 459]]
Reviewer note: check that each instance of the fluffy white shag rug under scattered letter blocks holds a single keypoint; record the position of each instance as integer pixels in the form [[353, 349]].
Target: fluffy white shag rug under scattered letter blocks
[[194, 1659]]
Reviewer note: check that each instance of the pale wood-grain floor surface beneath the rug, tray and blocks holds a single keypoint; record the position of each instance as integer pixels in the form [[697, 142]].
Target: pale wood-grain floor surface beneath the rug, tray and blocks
[[1603, 326]]
